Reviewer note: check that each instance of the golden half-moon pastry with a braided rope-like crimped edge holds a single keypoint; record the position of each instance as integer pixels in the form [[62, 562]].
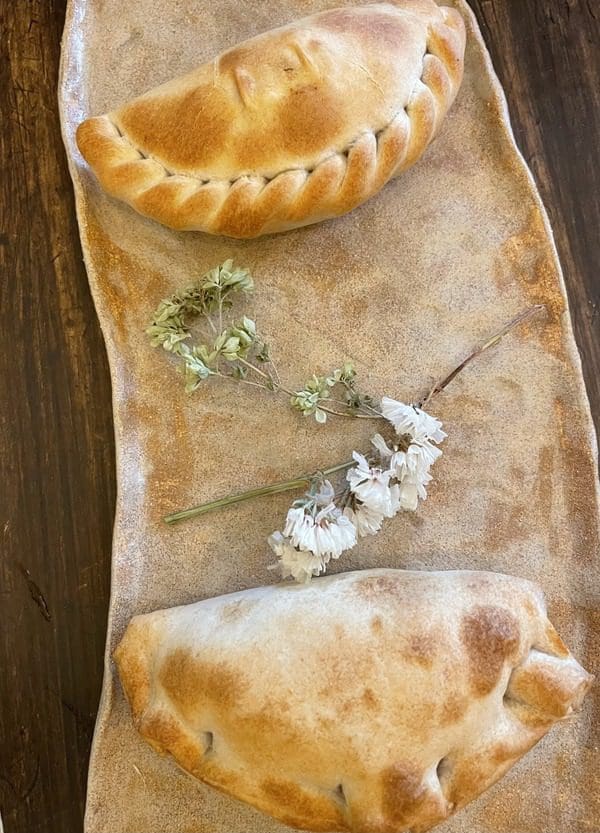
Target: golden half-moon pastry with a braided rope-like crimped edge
[[294, 126]]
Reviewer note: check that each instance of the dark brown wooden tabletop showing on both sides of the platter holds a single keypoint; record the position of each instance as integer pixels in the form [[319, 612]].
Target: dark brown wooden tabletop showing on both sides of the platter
[[57, 486]]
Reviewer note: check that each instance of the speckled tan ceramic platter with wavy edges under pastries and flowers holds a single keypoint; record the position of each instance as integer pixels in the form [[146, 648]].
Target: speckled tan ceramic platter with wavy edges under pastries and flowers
[[404, 285]]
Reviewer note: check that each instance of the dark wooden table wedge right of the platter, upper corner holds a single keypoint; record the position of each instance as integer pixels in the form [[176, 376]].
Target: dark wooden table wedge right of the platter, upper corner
[[547, 55]]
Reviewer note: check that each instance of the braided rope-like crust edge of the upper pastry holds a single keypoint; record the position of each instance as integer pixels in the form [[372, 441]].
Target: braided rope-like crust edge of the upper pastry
[[254, 205]]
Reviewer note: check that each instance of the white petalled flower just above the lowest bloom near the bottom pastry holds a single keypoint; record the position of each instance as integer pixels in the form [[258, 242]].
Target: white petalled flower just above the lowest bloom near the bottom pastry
[[326, 534]]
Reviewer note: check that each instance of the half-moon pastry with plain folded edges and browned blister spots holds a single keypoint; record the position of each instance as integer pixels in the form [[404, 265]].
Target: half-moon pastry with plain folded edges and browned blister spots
[[374, 701]]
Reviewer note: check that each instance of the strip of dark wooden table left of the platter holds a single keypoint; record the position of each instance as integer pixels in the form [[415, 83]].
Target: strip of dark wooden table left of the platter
[[56, 449]]
